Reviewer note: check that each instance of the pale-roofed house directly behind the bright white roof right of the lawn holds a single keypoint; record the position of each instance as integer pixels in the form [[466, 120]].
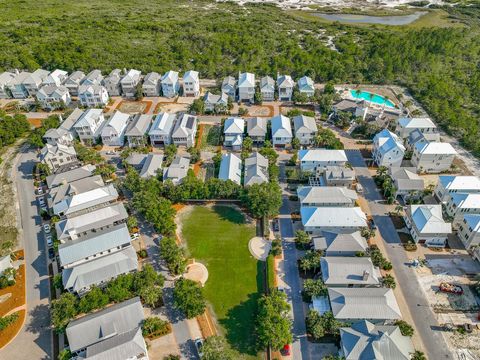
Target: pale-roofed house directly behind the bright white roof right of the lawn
[[319, 196]]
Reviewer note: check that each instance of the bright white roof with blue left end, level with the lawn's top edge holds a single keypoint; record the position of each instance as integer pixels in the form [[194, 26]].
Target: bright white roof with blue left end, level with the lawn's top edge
[[333, 217]]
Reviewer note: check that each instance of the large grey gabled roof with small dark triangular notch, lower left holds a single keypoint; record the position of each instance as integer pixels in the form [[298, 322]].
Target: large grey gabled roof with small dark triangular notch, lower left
[[104, 324]]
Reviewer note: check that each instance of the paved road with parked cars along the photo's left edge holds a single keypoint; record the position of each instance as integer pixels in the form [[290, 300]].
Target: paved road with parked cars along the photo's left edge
[[35, 339]]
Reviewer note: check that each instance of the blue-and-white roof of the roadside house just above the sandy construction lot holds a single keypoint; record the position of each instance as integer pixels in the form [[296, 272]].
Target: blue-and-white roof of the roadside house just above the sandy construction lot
[[428, 219]]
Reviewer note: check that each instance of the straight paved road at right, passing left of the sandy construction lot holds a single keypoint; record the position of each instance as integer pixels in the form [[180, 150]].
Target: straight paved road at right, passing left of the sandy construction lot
[[423, 316]]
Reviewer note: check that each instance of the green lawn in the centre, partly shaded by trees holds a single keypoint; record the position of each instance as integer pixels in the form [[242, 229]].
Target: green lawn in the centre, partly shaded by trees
[[218, 237]]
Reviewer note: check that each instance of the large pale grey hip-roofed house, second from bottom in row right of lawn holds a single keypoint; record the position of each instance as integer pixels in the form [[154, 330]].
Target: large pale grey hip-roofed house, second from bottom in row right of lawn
[[377, 305]]
